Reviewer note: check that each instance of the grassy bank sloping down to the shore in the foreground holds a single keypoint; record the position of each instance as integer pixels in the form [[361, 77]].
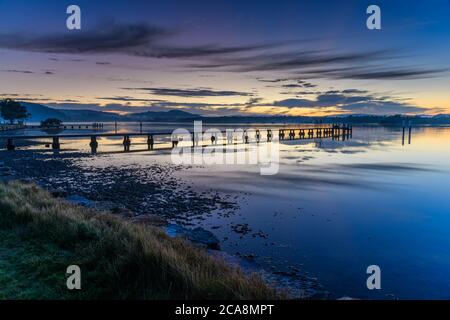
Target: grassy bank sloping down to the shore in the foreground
[[40, 236]]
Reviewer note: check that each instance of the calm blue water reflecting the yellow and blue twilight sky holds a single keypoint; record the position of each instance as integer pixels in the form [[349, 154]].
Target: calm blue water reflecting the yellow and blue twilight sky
[[336, 207]]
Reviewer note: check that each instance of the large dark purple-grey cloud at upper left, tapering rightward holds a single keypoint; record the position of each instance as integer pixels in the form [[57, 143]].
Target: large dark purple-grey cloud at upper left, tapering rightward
[[138, 39]]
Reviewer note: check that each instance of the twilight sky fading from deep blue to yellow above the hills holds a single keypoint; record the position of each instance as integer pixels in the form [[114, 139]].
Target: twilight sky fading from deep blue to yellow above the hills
[[227, 57]]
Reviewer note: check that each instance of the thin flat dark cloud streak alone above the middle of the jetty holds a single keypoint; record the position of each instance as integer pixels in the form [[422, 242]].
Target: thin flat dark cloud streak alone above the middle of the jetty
[[197, 92]]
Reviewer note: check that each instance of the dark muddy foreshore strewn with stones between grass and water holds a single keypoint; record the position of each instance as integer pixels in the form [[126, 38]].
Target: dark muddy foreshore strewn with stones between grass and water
[[149, 193]]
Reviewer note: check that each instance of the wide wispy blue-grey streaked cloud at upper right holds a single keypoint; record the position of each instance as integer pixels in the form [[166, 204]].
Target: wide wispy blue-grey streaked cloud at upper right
[[324, 64]]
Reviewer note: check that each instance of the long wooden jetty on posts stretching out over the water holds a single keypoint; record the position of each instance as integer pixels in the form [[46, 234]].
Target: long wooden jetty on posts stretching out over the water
[[246, 136]]
